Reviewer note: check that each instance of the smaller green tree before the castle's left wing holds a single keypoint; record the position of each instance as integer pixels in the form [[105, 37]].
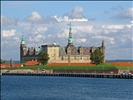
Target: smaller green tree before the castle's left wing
[[43, 58]]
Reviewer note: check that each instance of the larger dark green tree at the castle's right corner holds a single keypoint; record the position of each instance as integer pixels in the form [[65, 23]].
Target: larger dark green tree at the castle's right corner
[[97, 57]]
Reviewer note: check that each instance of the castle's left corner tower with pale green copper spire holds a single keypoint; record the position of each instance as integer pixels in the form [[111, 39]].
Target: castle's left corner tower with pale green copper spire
[[22, 49]]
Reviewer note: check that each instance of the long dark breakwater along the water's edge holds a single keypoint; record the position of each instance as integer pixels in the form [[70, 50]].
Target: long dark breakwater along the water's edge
[[74, 75]]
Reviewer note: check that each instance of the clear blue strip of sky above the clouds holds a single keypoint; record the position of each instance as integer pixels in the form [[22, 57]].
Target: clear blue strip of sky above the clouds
[[91, 9]]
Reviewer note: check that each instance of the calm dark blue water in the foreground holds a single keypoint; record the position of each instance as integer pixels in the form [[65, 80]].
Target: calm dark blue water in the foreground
[[65, 88]]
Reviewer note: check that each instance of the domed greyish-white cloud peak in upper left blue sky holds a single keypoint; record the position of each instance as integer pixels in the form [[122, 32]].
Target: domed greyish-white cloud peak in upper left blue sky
[[35, 17]]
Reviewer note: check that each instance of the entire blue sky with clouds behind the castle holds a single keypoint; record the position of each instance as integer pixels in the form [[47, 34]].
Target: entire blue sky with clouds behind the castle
[[44, 22]]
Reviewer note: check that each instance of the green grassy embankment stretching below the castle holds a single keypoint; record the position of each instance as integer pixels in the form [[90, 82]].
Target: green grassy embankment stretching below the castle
[[98, 67]]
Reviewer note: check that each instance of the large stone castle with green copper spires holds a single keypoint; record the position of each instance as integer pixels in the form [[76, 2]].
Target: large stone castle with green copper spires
[[56, 53]]
